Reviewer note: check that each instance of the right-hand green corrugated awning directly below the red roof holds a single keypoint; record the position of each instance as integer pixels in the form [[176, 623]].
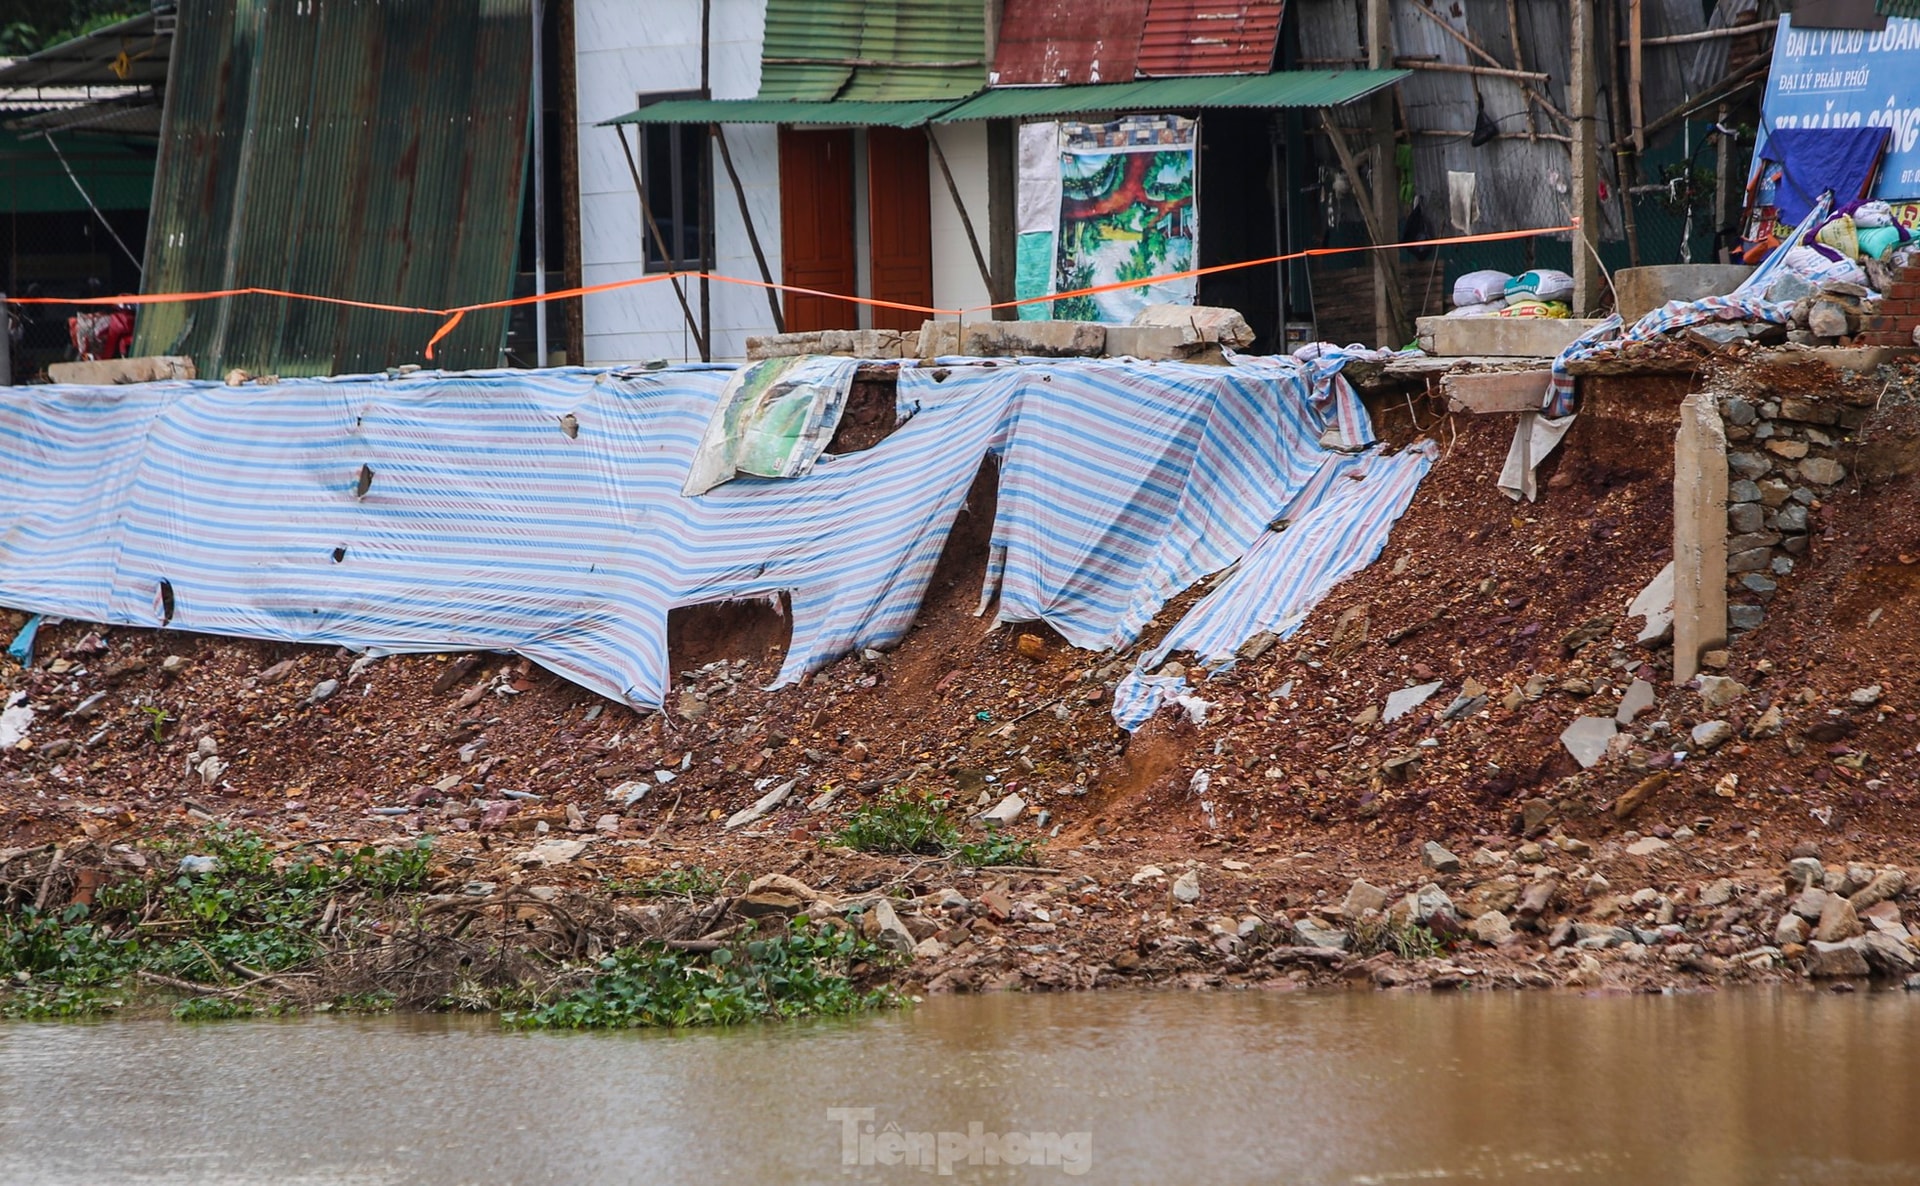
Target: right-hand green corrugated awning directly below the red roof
[[1293, 89]]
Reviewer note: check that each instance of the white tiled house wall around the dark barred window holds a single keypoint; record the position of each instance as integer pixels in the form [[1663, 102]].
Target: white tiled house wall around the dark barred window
[[621, 49]]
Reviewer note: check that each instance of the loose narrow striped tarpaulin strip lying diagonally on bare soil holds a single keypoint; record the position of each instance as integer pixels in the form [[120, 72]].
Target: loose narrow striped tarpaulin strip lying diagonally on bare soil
[[1337, 527]]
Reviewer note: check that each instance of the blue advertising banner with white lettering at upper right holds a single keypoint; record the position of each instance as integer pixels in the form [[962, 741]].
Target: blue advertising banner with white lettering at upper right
[[1846, 80]]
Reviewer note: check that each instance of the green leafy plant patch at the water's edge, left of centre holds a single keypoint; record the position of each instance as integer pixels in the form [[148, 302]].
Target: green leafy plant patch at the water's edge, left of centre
[[796, 972]]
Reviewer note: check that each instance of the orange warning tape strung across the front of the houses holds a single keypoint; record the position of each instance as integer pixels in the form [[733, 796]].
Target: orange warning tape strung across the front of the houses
[[460, 312]]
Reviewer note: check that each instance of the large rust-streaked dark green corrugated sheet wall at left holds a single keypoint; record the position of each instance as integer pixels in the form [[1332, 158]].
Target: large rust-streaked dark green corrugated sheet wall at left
[[354, 149]]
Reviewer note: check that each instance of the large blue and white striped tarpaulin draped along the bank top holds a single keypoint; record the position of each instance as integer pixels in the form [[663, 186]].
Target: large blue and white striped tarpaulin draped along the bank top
[[542, 511]]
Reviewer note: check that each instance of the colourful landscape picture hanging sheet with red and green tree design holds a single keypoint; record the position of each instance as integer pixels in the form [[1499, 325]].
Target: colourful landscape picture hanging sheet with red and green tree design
[[1126, 212]]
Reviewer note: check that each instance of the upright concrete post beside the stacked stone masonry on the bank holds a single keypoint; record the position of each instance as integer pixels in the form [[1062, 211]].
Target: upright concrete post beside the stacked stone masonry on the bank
[[1700, 534]]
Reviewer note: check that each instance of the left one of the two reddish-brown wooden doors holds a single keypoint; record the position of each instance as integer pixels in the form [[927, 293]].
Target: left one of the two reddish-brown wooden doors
[[817, 227]]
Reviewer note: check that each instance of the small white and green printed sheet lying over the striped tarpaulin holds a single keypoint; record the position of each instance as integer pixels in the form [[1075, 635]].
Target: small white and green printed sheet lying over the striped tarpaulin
[[775, 421]]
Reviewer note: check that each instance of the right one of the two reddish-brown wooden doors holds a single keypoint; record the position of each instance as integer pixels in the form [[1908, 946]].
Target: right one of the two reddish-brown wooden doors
[[900, 225]]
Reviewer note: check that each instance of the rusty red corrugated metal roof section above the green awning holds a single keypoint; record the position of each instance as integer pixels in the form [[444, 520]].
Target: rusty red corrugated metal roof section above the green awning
[[1068, 41]]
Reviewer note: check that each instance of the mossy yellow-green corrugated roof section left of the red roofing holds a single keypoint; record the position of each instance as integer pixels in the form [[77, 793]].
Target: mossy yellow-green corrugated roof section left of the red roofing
[[876, 51]]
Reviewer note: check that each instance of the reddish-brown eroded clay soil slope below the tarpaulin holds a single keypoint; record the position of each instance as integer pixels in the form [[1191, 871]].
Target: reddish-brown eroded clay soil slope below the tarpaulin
[[1305, 792]]
